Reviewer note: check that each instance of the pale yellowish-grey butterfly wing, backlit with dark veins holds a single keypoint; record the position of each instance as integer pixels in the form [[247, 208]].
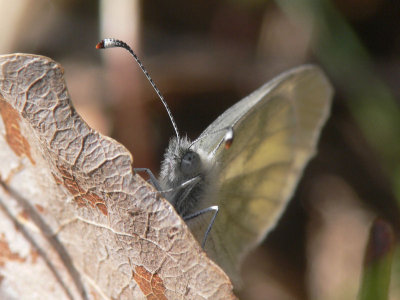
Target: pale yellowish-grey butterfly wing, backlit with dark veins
[[276, 129]]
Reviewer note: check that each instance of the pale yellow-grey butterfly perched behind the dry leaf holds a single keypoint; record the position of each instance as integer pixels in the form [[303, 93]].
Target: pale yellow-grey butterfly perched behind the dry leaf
[[270, 137]]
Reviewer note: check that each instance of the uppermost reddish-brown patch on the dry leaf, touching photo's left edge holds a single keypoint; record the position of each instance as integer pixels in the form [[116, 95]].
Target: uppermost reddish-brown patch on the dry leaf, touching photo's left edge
[[17, 142]]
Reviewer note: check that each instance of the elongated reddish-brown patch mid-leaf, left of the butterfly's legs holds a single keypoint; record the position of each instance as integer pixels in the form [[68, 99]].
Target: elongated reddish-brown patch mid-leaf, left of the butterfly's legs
[[82, 197]]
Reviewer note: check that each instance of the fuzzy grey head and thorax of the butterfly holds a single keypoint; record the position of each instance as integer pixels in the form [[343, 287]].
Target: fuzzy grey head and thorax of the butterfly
[[185, 174]]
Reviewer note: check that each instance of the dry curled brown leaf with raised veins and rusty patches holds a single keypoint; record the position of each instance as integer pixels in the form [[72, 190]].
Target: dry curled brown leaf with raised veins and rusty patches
[[75, 223]]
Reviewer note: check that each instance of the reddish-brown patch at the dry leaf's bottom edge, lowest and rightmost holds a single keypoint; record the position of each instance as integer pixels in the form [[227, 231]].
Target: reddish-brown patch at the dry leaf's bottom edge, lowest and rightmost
[[151, 285]]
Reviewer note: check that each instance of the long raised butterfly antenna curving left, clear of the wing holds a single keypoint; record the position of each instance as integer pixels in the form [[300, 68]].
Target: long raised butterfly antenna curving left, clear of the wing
[[111, 43]]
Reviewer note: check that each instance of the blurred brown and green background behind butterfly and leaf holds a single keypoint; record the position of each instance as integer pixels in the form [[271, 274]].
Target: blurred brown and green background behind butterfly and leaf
[[206, 55]]
